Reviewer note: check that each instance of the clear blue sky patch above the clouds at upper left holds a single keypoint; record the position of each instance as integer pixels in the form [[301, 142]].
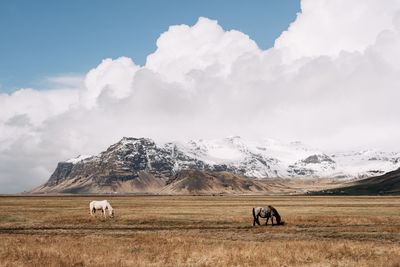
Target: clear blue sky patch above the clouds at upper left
[[49, 38]]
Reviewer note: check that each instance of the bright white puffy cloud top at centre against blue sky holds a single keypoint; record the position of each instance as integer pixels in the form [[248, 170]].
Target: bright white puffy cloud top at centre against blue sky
[[183, 50]]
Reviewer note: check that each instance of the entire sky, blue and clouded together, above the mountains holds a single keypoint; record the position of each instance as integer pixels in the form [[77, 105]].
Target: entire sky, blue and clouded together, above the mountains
[[78, 76]]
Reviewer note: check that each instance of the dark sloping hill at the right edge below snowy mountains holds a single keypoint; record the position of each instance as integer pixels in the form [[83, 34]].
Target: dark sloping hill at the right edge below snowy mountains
[[387, 184]]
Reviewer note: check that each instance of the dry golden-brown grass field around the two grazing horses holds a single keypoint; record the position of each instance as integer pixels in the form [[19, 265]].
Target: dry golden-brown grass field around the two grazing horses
[[199, 231]]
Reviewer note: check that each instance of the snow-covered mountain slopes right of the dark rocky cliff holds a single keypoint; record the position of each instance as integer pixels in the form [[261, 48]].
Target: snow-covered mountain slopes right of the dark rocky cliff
[[271, 158]]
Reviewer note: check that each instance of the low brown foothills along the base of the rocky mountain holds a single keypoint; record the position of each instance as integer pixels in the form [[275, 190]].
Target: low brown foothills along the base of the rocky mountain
[[183, 182]]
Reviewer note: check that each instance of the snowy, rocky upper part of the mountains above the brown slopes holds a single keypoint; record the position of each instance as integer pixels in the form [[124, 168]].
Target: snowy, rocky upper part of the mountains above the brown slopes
[[268, 158]]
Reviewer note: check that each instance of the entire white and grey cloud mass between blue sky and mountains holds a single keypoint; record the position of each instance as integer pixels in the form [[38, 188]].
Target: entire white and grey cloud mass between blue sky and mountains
[[331, 80]]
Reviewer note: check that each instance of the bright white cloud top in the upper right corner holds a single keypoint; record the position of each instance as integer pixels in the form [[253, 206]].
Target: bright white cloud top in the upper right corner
[[327, 27]]
